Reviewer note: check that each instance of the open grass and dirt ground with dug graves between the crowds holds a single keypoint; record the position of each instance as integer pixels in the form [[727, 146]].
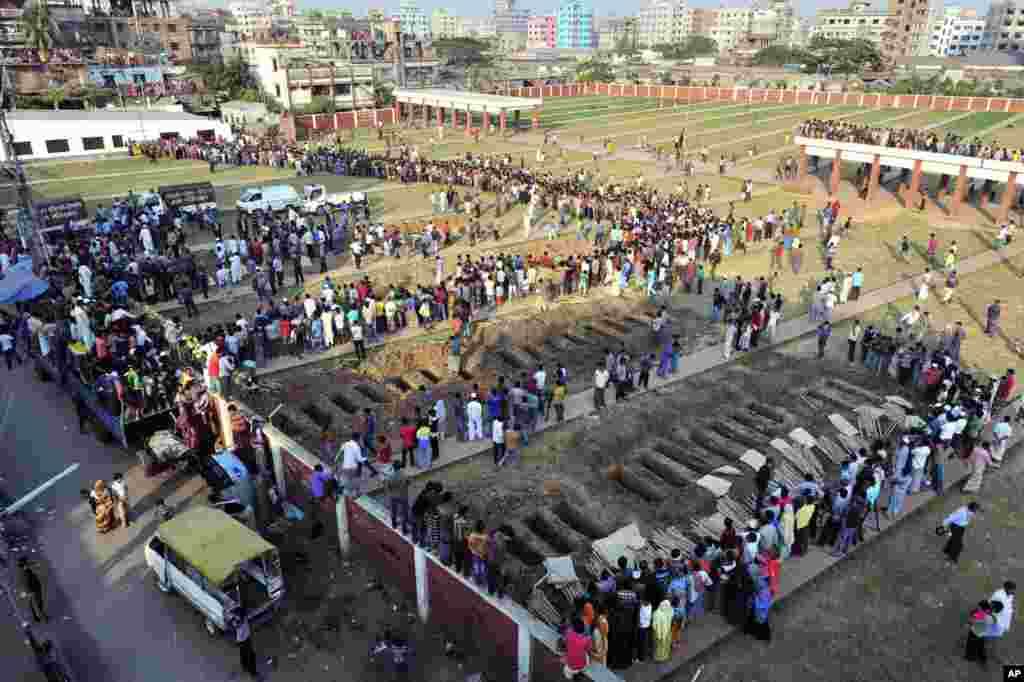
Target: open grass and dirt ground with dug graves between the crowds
[[642, 461]]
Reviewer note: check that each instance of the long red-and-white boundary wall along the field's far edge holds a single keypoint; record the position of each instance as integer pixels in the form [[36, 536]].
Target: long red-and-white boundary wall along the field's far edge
[[767, 96]]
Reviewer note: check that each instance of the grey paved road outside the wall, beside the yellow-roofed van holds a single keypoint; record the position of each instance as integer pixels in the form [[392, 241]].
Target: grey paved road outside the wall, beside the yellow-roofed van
[[114, 623]]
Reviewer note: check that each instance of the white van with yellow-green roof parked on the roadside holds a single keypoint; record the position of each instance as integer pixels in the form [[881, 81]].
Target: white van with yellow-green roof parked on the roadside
[[219, 566]]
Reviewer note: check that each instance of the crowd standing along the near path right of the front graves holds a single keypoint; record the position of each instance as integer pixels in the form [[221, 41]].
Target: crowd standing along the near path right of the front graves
[[642, 611]]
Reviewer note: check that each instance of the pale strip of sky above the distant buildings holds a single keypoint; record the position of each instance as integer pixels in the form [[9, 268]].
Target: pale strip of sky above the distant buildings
[[603, 8]]
